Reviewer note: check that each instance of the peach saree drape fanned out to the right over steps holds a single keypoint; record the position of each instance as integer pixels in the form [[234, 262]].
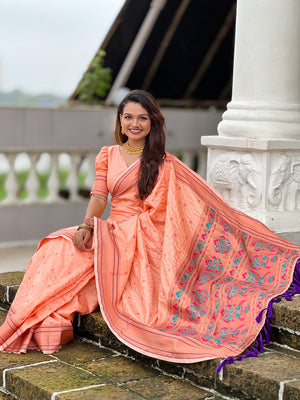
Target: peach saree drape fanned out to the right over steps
[[185, 279]]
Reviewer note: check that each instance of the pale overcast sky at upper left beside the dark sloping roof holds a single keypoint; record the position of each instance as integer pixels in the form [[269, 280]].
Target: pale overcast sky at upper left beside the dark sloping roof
[[46, 46]]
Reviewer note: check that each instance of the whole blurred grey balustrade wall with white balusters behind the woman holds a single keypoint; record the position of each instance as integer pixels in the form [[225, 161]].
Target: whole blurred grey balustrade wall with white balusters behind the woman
[[47, 161]]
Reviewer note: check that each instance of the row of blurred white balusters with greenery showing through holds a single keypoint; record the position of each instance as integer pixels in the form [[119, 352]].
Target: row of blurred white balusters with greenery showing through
[[44, 176]]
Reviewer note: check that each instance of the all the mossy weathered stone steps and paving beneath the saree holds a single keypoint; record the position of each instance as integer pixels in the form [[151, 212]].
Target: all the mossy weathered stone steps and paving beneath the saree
[[97, 366]]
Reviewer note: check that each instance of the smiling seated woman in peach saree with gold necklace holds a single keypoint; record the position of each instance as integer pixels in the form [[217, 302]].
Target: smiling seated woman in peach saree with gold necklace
[[178, 274]]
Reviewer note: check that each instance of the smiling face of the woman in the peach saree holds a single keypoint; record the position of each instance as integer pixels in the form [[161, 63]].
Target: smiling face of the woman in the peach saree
[[136, 123]]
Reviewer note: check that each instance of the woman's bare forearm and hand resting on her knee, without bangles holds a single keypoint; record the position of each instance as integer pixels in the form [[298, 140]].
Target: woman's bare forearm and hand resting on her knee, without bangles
[[95, 208]]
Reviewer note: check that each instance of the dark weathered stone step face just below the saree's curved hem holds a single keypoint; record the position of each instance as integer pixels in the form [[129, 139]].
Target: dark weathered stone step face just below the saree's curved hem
[[277, 370]]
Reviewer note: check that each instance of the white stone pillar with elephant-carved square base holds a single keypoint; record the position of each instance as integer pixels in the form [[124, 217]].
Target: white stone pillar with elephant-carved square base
[[255, 160]]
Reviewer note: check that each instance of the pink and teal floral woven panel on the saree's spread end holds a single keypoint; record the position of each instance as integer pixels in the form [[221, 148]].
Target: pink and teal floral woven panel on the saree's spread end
[[216, 281]]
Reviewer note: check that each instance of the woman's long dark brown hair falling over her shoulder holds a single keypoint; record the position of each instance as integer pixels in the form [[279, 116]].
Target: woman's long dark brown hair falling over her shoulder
[[154, 151]]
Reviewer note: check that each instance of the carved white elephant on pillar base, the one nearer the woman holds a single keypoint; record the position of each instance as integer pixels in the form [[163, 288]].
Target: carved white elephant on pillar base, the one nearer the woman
[[236, 178]]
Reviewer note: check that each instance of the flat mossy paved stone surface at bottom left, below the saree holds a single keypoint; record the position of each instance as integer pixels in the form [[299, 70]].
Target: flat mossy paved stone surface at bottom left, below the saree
[[82, 370]]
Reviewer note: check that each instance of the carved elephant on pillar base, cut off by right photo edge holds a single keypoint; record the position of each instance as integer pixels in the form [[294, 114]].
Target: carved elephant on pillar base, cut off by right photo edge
[[284, 184]]
